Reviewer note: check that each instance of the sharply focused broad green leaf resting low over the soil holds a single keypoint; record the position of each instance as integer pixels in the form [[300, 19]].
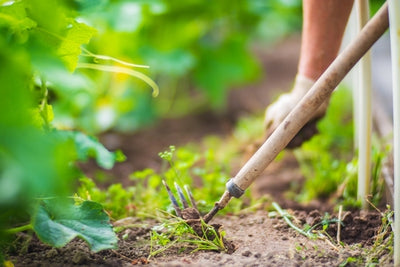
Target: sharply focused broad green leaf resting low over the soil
[[57, 222]]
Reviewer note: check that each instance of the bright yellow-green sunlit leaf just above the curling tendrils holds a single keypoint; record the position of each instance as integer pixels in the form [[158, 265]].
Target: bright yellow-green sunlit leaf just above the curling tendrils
[[70, 48]]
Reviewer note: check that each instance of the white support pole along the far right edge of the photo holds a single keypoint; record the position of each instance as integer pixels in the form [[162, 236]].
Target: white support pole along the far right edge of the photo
[[394, 22]]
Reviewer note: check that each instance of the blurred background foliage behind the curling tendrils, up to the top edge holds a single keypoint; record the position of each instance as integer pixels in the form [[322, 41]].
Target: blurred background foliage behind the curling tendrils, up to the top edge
[[196, 50]]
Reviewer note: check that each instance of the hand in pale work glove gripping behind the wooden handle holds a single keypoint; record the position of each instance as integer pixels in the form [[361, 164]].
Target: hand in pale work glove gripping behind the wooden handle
[[277, 111]]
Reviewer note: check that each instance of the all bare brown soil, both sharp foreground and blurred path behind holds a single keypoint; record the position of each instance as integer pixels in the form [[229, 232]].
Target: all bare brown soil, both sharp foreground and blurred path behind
[[256, 238]]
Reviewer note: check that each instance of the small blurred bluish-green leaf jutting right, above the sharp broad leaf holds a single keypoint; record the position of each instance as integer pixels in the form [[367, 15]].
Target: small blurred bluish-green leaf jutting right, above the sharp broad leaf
[[87, 146]]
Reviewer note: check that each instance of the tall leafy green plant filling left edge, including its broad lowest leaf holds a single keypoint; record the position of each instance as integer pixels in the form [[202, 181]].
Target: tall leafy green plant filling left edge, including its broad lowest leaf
[[40, 43]]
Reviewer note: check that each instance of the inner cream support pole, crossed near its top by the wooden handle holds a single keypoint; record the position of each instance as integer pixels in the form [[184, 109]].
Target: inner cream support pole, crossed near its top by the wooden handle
[[365, 114]]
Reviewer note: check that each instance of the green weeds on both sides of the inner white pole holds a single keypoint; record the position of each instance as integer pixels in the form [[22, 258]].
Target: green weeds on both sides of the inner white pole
[[327, 162]]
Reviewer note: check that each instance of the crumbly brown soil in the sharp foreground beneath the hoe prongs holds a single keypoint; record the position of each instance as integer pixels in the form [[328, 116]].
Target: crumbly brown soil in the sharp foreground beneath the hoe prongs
[[256, 239]]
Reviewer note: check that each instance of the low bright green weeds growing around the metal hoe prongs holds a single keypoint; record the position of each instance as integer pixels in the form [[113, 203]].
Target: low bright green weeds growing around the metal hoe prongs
[[203, 172]]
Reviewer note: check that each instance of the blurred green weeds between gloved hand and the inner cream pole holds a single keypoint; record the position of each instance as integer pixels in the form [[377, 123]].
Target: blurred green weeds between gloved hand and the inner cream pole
[[324, 159]]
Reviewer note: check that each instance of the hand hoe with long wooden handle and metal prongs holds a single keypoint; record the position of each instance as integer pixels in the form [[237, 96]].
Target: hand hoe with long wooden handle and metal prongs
[[295, 120]]
